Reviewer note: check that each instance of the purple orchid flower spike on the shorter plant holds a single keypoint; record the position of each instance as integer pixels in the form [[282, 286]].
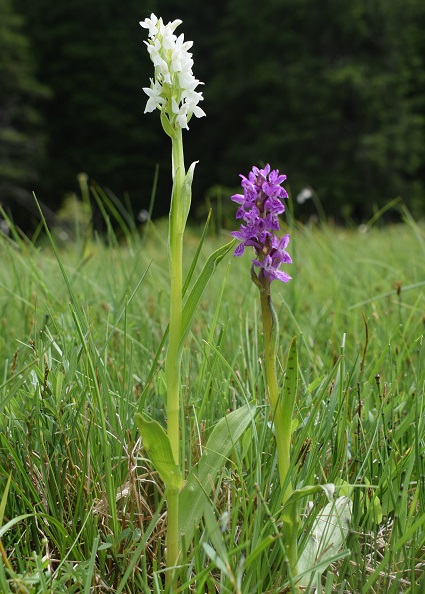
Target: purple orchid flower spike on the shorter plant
[[260, 208]]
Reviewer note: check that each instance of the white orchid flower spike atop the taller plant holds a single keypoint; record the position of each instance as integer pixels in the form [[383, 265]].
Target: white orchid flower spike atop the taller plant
[[173, 88]]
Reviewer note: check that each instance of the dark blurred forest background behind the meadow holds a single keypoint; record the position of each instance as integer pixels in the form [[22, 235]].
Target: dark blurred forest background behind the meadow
[[331, 92]]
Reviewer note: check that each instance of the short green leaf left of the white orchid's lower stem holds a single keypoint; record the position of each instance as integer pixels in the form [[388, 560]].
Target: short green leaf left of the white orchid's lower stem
[[158, 448]]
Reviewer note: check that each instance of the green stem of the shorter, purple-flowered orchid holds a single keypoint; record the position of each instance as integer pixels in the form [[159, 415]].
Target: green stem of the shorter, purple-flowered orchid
[[282, 420]]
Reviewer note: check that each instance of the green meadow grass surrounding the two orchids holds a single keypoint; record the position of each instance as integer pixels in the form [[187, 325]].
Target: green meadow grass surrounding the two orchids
[[79, 353]]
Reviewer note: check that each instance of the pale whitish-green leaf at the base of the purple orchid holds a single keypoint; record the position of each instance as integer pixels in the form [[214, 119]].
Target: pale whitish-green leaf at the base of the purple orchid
[[326, 538]]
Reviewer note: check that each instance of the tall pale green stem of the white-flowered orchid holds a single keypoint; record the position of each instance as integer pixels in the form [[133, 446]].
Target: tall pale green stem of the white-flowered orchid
[[173, 357]]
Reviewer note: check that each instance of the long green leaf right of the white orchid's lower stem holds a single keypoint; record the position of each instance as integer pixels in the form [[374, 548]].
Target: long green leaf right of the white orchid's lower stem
[[194, 497]]
